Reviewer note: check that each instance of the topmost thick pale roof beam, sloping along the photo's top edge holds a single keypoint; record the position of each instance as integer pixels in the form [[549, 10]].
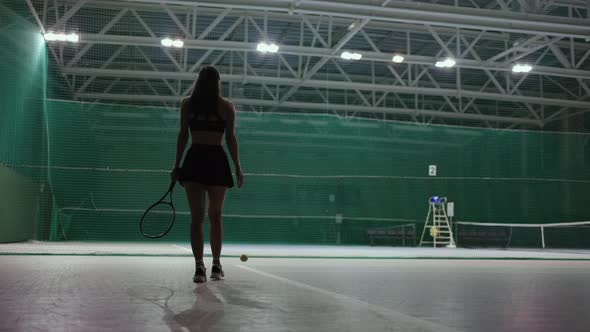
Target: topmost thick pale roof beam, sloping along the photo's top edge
[[415, 13]]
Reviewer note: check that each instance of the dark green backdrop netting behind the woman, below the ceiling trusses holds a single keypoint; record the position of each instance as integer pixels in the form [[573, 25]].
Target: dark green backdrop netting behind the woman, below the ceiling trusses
[[109, 162]]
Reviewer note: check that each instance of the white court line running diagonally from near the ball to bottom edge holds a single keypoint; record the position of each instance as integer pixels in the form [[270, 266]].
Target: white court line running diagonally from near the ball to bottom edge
[[396, 316]]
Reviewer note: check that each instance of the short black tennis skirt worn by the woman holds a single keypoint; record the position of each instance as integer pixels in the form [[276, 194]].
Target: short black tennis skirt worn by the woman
[[207, 165]]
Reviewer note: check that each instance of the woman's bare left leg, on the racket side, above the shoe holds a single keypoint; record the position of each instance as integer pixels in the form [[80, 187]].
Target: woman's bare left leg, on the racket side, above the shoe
[[196, 201]]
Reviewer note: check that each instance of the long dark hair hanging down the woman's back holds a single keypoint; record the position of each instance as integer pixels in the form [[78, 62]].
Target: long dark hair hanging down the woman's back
[[205, 94]]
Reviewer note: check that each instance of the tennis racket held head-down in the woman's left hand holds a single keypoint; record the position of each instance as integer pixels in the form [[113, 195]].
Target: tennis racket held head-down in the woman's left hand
[[158, 219]]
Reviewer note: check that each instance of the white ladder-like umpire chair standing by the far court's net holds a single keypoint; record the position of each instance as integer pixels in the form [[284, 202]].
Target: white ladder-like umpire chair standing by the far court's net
[[439, 230]]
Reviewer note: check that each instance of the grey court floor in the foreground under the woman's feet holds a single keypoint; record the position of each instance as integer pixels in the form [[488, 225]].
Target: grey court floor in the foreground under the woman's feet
[[130, 293]]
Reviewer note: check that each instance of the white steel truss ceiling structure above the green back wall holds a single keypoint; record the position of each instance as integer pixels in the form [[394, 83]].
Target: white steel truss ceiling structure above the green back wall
[[485, 37]]
